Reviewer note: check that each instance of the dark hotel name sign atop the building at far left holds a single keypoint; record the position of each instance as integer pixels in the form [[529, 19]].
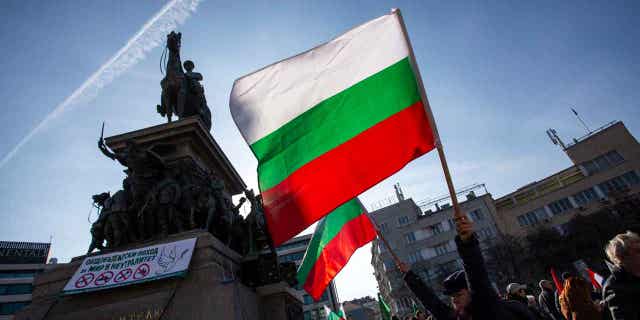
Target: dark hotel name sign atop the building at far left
[[23, 252]]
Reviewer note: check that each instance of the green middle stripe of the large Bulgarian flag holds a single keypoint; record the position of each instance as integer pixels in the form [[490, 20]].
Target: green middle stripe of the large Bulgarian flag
[[334, 121]]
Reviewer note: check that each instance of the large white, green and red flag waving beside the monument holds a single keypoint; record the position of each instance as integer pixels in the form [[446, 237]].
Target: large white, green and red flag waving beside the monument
[[331, 122]]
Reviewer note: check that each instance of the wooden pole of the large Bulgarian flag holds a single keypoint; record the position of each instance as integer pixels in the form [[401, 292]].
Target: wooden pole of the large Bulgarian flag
[[423, 94]]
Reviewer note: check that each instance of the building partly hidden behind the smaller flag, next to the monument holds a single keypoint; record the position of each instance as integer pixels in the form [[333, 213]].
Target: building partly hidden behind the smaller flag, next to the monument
[[293, 250]]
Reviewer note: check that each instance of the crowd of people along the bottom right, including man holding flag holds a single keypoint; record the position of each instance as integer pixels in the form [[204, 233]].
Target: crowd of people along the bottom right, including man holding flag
[[473, 297]]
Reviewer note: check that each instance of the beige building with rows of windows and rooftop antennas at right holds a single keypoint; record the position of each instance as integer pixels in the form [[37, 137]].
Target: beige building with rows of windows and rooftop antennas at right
[[606, 165]]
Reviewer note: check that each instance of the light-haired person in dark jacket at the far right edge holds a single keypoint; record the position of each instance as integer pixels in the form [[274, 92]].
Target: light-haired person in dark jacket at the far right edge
[[621, 291]]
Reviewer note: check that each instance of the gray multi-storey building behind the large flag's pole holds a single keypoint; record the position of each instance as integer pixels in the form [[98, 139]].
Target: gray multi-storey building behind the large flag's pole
[[425, 240]]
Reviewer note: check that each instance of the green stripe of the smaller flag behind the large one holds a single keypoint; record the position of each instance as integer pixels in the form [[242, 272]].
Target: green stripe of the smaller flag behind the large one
[[326, 230]]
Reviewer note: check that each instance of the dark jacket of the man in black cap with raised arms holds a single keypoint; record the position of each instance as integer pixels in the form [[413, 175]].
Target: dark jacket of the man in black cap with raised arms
[[485, 302]]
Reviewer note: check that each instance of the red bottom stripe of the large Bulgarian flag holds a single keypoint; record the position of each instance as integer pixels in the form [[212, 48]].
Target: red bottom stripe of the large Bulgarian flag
[[342, 173]]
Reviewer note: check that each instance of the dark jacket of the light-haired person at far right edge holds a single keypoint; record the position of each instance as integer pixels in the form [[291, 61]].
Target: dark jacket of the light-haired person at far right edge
[[622, 295]]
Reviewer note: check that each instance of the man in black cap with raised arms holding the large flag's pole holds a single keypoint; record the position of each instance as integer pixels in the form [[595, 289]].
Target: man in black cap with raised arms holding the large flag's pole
[[472, 296]]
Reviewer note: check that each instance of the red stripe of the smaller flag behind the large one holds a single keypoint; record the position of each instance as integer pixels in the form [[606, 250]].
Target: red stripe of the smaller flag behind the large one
[[335, 255]]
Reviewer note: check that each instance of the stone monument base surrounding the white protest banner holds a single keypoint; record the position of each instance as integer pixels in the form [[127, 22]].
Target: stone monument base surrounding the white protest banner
[[210, 290]]
